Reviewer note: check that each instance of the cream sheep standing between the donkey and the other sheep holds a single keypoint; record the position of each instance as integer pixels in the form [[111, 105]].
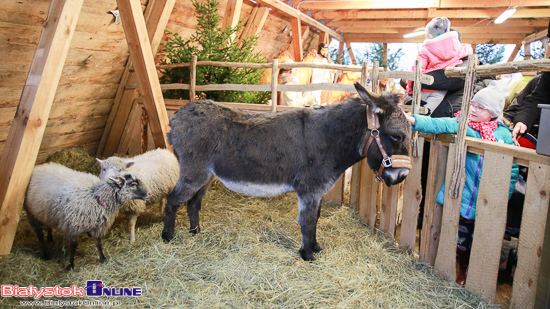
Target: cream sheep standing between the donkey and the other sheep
[[158, 170]]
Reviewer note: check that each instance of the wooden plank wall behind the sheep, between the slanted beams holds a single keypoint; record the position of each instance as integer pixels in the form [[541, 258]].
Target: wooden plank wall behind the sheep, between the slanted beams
[[90, 77]]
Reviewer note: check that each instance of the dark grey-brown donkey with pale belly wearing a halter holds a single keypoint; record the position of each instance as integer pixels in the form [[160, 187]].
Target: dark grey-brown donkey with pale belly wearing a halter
[[267, 154]]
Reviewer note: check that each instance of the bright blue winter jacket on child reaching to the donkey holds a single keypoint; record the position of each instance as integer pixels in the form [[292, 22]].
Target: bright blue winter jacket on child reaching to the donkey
[[474, 162]]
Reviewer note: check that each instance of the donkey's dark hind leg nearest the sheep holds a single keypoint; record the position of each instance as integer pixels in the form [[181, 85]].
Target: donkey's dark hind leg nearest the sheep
[[186, 187]]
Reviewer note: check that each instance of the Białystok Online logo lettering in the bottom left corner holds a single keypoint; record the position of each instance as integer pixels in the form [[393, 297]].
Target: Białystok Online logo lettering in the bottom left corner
[[93, 288]]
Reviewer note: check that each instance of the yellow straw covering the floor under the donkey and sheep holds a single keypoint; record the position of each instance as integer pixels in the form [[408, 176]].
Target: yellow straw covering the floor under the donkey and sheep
[[246, 256]]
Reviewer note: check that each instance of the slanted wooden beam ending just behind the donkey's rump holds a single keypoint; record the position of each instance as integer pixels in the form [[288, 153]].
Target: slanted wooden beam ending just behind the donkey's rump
[[144, 65]]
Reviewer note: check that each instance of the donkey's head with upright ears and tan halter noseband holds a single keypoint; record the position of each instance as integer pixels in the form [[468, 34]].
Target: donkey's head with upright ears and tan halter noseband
[[387, 150]]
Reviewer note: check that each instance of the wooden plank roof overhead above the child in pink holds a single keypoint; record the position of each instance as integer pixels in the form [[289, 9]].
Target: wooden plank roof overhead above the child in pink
[[386, 21]]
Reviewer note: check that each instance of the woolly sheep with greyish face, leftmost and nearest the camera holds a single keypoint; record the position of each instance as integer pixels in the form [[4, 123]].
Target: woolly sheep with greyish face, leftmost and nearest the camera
[[74, 203]]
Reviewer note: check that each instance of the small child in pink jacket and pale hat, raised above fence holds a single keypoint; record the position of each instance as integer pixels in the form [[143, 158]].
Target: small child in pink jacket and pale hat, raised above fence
[[442, 49]]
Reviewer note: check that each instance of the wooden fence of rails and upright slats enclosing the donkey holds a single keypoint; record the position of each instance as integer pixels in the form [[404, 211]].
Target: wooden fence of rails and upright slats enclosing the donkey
[[384, 207]]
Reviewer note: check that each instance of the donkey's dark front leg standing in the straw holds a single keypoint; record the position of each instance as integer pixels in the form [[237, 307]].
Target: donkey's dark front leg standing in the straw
[[309, 205]]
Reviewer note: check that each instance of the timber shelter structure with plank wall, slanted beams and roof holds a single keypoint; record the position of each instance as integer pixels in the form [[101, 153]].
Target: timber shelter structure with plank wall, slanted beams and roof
[[68, 67]]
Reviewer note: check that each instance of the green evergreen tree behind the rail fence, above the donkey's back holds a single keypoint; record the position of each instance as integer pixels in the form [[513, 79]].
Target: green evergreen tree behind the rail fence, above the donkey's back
[[212, 43]]
